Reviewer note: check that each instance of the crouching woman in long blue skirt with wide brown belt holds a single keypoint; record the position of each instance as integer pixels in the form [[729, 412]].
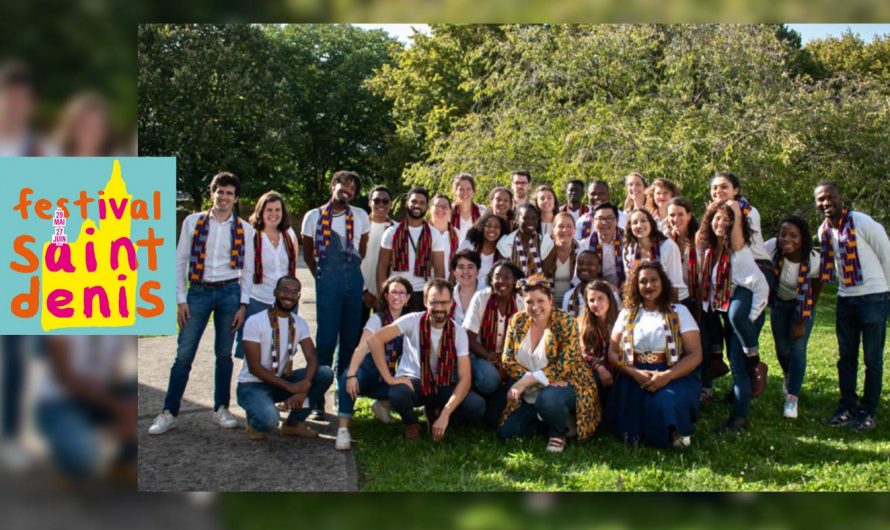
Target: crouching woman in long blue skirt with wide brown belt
[[655, 348]]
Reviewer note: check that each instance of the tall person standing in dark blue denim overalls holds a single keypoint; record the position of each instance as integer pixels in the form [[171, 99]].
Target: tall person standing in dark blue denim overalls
[[335, 237]]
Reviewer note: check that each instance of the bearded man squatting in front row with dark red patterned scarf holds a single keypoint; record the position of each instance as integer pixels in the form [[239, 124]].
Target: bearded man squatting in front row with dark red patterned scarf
[[434, 370]]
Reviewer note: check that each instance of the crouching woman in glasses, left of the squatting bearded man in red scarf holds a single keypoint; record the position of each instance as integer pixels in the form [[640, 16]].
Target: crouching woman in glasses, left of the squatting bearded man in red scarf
[[362, 377]]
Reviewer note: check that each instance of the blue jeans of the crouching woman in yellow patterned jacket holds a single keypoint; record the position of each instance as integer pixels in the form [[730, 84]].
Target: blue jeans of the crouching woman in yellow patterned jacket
[[551, 412]]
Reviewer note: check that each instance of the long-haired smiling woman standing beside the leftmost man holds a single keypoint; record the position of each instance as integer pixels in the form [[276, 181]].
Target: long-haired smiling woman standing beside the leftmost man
[[275, 250]]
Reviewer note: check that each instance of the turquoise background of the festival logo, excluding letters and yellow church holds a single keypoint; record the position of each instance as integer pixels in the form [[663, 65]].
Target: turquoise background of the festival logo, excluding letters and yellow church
[[53, 178]]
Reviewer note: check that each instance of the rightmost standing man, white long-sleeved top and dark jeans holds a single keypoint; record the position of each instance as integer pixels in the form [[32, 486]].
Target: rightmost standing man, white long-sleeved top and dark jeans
[[856, 252]]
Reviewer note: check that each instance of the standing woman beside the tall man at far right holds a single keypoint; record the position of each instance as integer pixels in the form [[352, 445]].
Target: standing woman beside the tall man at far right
[[794, 302]]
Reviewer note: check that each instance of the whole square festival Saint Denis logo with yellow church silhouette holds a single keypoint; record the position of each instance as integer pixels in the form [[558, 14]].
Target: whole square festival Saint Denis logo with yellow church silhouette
[[88, 246]]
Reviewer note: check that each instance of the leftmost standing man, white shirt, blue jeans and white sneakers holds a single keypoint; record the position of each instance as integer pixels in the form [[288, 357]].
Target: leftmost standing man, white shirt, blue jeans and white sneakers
[[214, 254]]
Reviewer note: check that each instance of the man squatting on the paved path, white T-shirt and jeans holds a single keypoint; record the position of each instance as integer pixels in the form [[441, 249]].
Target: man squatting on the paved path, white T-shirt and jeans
[[267, 376]]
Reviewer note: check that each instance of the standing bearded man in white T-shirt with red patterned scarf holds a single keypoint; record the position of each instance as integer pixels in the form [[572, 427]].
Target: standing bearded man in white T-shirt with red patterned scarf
[[412, 249]]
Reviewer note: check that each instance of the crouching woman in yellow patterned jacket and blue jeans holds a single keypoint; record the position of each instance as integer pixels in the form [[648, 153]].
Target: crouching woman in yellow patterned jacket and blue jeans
[[549, 383]]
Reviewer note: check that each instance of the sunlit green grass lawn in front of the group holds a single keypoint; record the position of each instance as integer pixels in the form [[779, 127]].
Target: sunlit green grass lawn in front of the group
[[774, 455]]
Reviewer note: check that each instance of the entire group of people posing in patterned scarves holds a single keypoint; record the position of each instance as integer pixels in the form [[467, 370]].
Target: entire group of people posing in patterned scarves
[[527, 315]]
